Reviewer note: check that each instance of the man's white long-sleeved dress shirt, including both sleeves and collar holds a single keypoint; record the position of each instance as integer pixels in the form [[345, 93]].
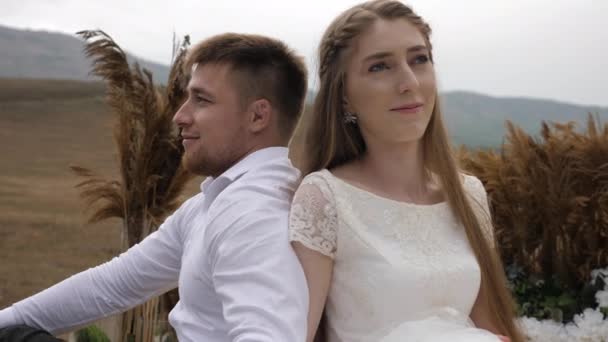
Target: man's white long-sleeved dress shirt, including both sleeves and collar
[[227, 251]]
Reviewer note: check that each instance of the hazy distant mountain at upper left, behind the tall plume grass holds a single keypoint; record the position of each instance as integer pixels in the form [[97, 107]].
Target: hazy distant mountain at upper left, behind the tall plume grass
[[46, 55]]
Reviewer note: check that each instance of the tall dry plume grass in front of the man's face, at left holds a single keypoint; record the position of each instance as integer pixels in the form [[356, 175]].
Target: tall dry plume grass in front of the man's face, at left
[[151, 176]]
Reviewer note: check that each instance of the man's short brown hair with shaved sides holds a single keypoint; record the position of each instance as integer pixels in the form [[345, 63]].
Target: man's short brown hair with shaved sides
[[264, 68]]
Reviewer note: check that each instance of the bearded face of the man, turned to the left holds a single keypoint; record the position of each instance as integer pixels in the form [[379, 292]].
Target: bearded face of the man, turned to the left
[[212, 121]]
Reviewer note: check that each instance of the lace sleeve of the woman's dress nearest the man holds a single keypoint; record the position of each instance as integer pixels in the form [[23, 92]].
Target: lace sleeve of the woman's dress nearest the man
[[313, 219]]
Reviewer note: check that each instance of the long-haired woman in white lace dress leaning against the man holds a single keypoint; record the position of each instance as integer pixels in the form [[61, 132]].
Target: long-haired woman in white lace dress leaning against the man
[[396, 242]]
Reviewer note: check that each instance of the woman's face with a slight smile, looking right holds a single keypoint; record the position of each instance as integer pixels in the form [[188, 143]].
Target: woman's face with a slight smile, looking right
[[390, 82]]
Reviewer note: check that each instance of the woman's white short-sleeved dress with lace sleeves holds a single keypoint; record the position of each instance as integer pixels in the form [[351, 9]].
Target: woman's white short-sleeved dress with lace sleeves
[[402, 272]]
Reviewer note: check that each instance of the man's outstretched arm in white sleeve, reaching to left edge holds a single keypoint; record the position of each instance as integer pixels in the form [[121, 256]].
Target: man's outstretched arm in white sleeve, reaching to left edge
[[147, 269]]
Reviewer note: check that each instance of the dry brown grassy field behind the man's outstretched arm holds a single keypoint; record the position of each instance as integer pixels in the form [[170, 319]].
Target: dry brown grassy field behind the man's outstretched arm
[[46, 126]]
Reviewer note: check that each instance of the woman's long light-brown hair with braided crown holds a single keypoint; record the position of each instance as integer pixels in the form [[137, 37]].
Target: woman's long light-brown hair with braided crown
[[329, 142]]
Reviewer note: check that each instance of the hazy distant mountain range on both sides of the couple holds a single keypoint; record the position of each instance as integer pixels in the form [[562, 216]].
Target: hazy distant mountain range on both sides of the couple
[[473, 119]]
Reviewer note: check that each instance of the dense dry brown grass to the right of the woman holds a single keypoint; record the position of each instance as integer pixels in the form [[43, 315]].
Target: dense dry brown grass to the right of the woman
[[549, 199]]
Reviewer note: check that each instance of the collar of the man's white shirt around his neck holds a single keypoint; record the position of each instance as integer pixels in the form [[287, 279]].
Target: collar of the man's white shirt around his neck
[[247, 163]]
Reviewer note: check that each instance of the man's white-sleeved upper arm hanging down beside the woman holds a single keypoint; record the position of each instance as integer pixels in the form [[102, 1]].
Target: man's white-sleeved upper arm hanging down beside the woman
[[257, 276]]
